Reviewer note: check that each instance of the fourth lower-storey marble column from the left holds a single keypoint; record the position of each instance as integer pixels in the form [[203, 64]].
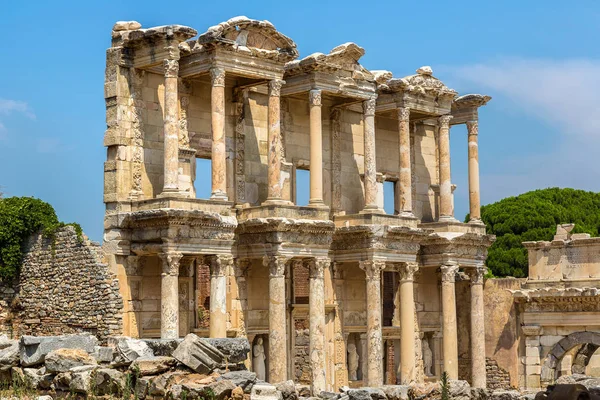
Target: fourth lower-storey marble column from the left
[[317, 324]]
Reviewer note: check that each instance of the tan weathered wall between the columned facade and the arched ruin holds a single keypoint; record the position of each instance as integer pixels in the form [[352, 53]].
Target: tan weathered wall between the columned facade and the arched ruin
[[502, 325]]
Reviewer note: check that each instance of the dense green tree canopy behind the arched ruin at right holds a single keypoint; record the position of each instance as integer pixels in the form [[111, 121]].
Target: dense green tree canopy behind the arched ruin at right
[[533, 216]]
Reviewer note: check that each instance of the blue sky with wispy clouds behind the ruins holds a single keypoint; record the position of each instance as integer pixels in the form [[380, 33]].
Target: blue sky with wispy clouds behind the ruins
[[539, 60]]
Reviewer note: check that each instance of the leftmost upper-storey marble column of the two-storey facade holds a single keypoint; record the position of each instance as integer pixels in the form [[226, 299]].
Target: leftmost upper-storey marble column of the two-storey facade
[[171, 129]]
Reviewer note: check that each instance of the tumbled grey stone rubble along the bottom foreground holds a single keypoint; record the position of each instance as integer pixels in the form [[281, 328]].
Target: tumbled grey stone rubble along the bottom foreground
[[192, 368]]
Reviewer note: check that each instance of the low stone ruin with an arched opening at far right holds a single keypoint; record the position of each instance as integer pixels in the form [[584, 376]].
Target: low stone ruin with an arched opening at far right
[[559, 308]]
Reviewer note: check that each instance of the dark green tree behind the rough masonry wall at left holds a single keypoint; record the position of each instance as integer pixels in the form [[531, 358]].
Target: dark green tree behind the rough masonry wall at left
[[20, 217]]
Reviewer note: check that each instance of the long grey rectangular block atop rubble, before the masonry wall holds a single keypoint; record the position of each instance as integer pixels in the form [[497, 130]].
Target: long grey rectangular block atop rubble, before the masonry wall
[[33, 350]]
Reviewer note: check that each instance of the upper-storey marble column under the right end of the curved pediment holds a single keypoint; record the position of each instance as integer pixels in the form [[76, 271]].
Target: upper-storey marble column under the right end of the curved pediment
[[275, 143]]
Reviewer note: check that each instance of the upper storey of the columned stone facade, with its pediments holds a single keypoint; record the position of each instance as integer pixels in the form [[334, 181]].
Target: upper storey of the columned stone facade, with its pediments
[[239, 95]]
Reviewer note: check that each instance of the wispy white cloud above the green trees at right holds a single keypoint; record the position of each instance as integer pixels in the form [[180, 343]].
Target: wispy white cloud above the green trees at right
[[564, 95]]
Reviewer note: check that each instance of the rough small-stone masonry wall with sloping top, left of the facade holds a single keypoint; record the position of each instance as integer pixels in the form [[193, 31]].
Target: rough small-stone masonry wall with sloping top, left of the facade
[[64, 287]]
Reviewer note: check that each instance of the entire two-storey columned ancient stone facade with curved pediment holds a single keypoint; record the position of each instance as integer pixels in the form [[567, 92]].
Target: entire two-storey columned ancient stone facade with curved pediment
[[320, 284]]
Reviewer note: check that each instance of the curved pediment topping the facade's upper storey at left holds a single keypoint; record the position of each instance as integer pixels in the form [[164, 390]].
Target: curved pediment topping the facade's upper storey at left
[[245, 34]]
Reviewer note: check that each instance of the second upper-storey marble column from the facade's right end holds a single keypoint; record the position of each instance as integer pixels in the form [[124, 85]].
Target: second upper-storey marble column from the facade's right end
[[446, 208]]
